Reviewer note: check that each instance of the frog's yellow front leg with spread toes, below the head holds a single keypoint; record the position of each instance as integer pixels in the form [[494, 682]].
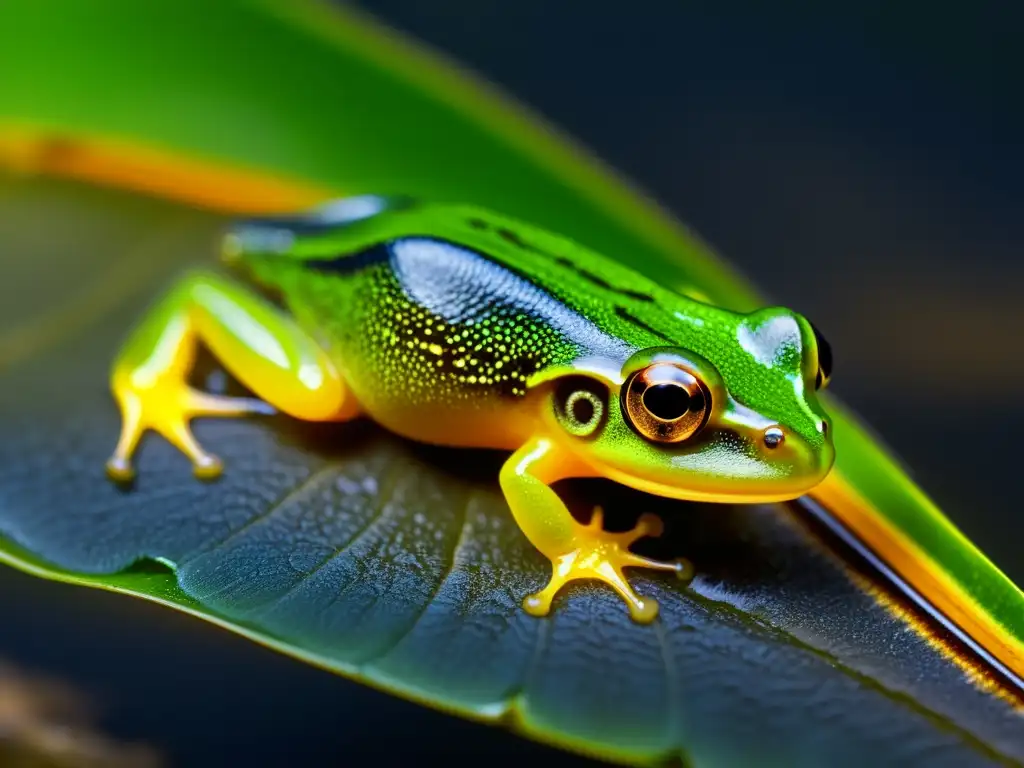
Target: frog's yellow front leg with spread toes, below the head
[[576, 551]]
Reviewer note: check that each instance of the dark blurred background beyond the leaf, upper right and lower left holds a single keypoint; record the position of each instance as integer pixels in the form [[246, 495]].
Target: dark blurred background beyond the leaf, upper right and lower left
[[863, 167]]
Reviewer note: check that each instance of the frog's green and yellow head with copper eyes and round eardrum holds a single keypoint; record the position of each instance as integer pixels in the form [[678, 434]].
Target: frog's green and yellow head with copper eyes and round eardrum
[[733, 417]]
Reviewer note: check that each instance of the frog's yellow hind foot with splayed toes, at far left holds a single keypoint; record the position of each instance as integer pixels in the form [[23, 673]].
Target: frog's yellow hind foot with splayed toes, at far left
[[167, 408]]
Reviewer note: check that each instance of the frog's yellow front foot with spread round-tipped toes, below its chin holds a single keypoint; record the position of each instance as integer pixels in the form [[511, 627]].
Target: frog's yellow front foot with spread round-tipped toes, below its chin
[[603, 556]]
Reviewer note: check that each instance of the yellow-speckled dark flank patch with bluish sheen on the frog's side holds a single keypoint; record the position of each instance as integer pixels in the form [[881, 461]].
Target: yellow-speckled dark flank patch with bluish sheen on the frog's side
[[433, 322]]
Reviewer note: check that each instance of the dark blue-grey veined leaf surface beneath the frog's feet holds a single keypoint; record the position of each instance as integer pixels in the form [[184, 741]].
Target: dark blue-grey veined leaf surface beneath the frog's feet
[[400, 566]]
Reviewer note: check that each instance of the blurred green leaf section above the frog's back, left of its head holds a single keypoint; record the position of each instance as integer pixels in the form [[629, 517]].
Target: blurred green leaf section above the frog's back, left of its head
[[332, 102]]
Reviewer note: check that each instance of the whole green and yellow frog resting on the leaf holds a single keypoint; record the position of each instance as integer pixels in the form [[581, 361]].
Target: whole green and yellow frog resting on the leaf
[[453, 325]]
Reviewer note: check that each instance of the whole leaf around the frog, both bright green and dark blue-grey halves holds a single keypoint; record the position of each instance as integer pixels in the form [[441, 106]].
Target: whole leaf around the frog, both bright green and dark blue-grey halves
[[786, 647]]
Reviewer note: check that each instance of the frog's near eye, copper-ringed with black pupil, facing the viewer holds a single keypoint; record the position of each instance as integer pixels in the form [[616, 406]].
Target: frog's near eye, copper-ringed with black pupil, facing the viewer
[[666, 403]]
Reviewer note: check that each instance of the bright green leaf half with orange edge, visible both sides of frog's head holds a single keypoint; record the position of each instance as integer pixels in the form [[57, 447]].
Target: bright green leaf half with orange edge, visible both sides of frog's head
[[174, 100]]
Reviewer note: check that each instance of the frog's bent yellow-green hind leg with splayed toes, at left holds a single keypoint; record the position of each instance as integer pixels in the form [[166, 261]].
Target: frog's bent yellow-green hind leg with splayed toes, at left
[[262, 347]]
